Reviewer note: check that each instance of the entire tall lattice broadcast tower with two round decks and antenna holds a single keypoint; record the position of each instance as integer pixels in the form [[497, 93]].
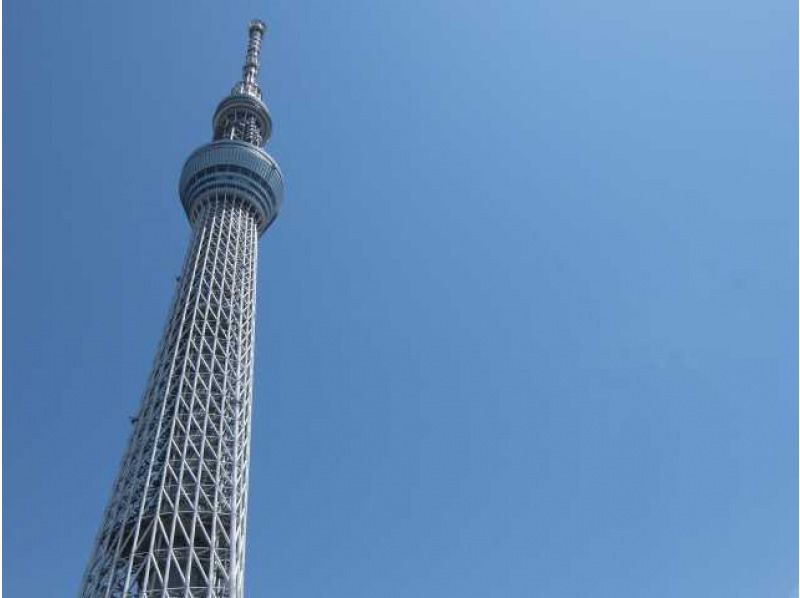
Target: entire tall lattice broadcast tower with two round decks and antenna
[[175, 524]]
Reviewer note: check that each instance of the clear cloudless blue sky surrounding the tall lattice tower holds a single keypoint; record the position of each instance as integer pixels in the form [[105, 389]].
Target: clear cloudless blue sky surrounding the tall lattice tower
[[527, 322]]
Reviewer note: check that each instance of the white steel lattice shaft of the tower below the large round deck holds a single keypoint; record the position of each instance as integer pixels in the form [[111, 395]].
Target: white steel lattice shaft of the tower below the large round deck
[[175, 525]]
